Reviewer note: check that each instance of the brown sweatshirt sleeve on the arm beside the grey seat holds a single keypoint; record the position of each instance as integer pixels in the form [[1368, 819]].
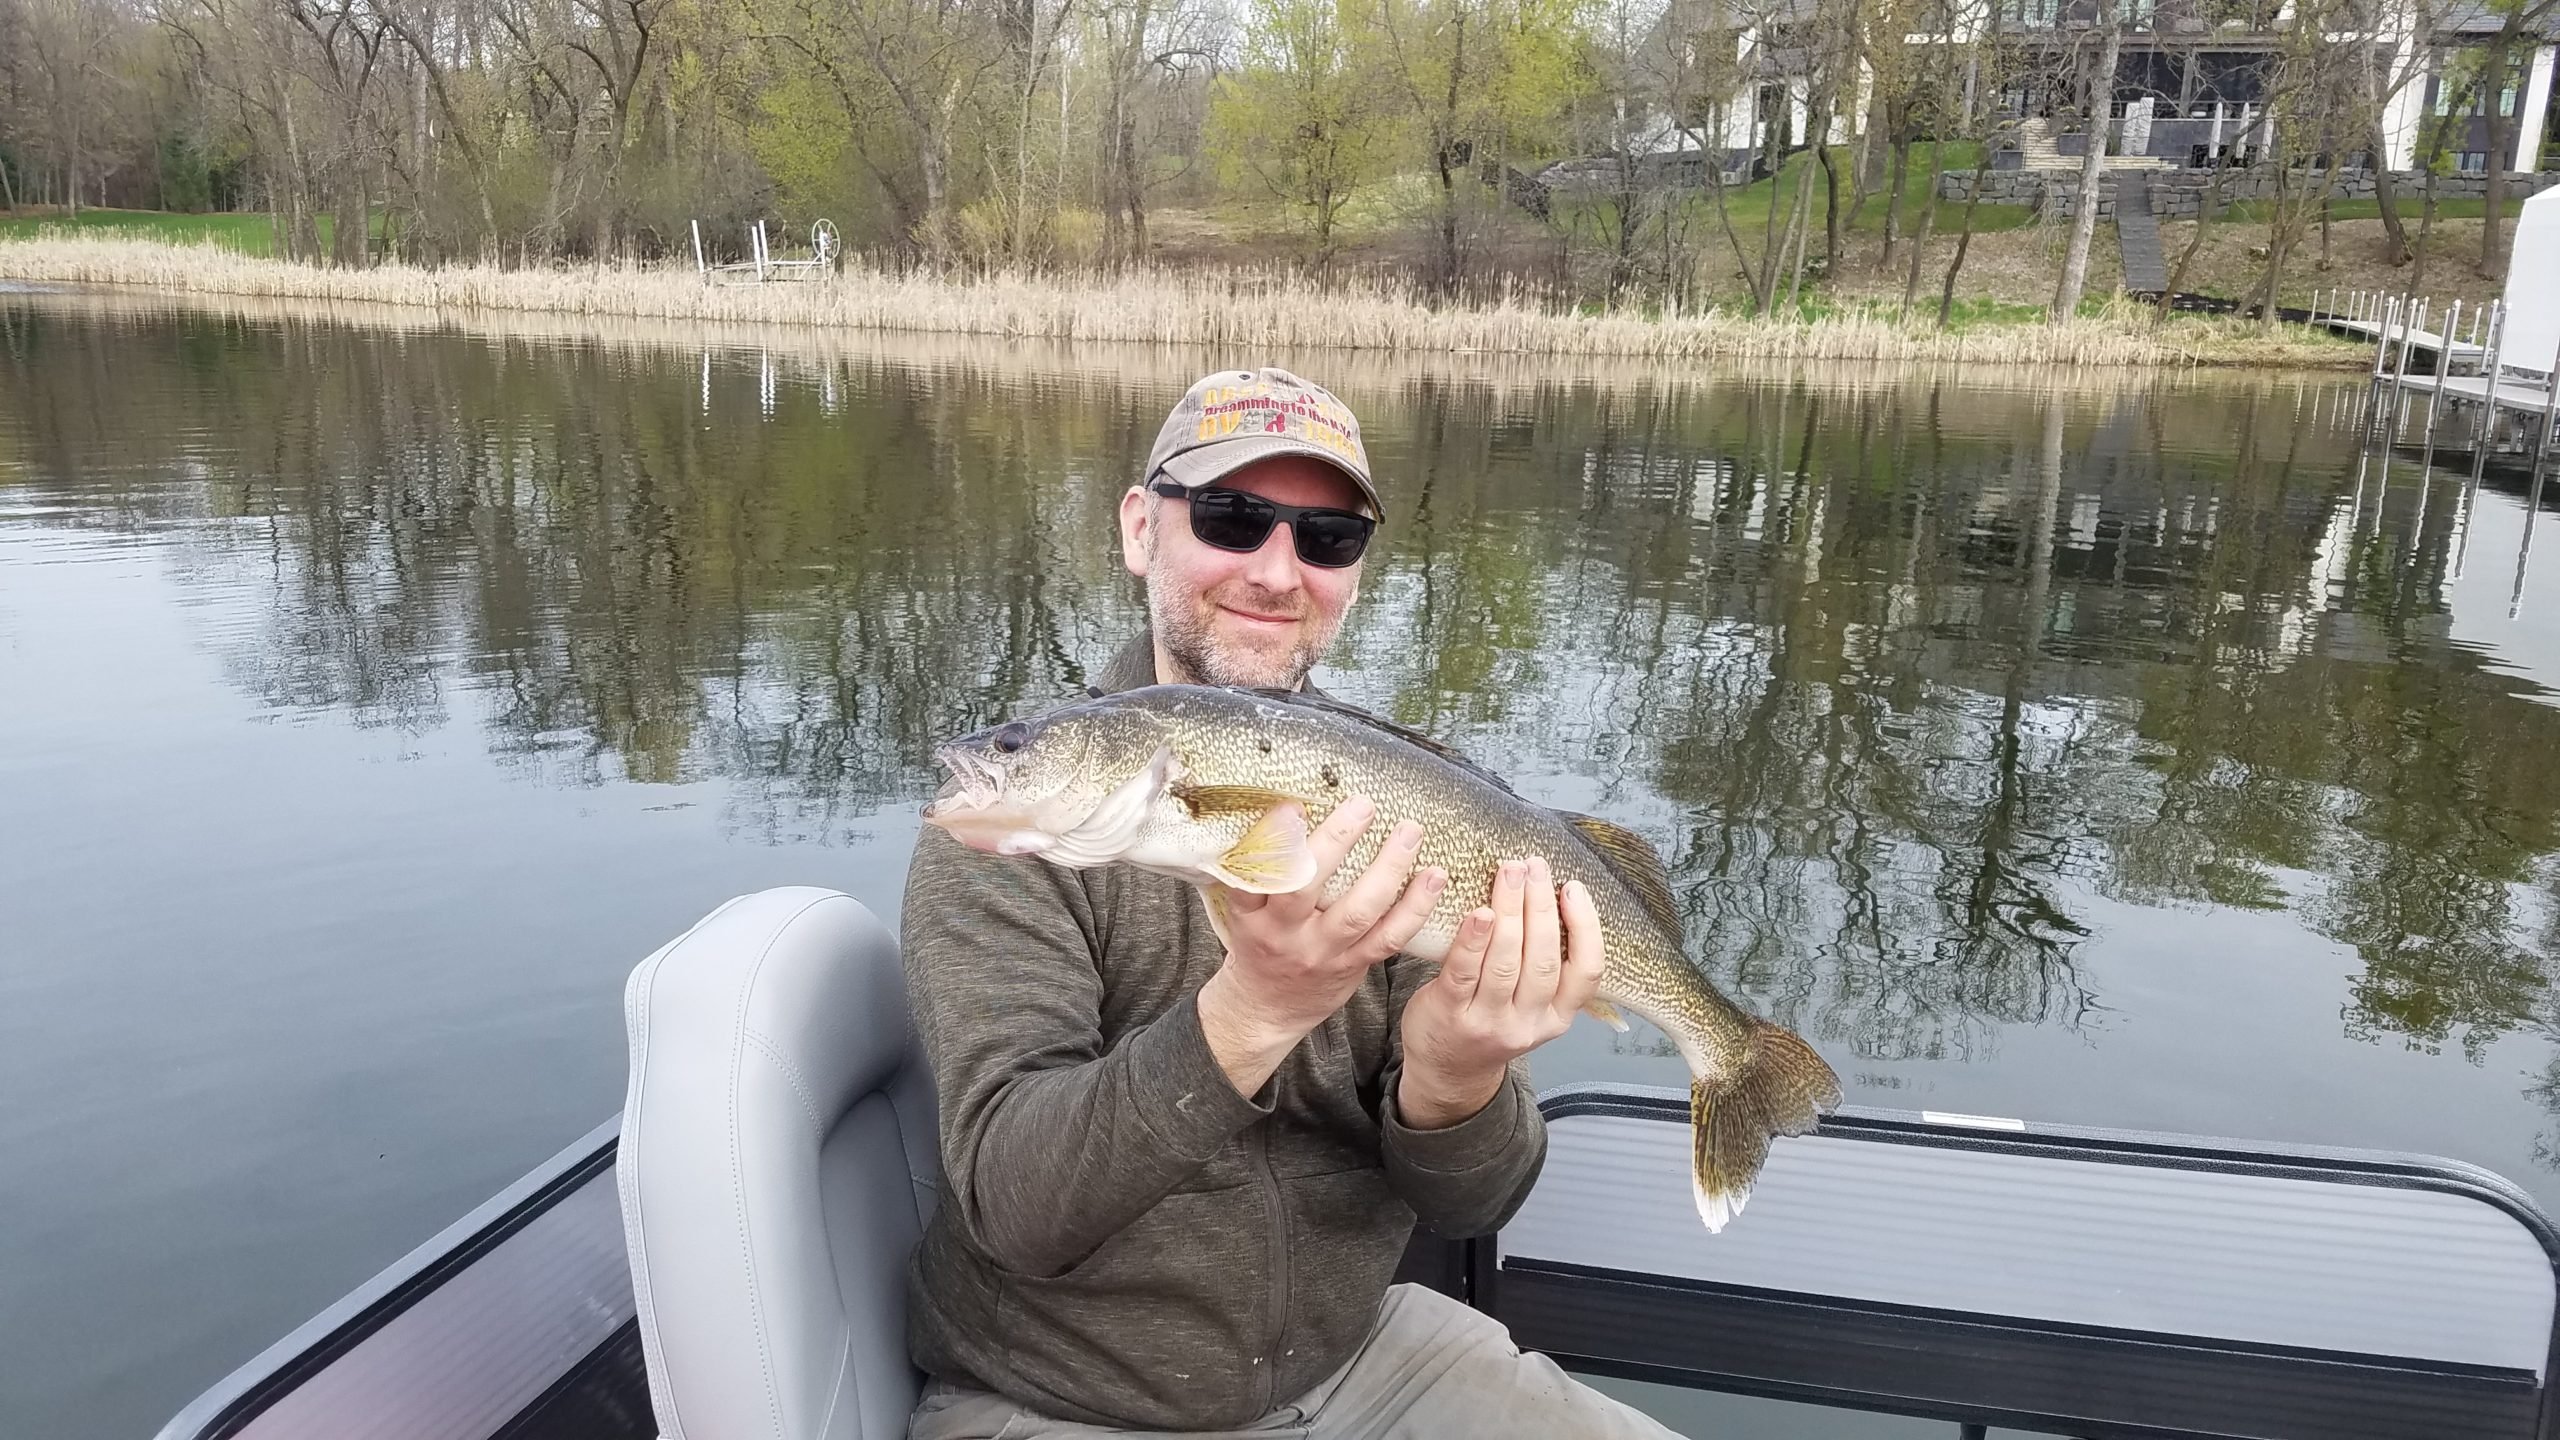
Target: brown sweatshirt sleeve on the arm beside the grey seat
[[1051, 1144]]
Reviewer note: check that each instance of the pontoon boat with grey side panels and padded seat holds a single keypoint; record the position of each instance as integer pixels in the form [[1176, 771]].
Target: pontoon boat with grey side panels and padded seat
[[1970, 1270]]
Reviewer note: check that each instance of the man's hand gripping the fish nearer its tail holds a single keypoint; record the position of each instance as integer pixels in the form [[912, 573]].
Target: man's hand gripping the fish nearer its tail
[[1512, 983]]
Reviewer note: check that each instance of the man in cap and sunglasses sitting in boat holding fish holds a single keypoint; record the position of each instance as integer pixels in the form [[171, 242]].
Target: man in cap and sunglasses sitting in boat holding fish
[[1179, 1175]]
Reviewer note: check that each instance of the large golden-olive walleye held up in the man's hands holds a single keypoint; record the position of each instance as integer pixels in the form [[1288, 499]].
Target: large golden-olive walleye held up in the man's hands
[[1194, 783]]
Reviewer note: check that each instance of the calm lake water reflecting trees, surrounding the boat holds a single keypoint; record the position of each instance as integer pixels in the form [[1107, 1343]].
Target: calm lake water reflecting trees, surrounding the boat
[[375, 698]]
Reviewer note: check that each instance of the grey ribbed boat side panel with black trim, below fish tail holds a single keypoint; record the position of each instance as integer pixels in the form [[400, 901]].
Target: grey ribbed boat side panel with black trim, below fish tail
[[2047, 1277]]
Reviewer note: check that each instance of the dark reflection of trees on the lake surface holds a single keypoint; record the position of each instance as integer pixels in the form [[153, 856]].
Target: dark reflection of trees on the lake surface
[[1903, 673]]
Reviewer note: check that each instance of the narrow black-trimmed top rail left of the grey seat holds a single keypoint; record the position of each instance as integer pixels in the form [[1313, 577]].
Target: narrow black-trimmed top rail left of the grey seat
[[316, 1344]]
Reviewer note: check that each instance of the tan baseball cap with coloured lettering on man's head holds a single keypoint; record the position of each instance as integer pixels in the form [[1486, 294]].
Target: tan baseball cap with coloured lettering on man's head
[[1240, 416]]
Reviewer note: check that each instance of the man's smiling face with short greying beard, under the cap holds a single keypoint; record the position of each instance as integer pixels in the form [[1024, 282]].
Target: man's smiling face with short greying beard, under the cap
[[1228, 619]]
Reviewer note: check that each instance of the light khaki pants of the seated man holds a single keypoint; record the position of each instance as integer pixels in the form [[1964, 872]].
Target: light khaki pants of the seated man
[[1432, 1370]]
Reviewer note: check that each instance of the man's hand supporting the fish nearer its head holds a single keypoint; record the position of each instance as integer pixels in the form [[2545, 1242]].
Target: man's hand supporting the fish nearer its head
[[1292, 962]]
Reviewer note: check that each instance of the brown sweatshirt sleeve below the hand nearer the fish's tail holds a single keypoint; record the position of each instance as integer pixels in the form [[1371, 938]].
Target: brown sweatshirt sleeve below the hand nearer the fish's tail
[[1468, 1177]]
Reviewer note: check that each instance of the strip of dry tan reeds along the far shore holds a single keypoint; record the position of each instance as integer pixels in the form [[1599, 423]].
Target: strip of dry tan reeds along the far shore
[[1253, 311]]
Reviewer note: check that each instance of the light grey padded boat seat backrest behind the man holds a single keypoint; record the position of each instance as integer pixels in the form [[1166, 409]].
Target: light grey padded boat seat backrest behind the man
[[777, 1170]]
